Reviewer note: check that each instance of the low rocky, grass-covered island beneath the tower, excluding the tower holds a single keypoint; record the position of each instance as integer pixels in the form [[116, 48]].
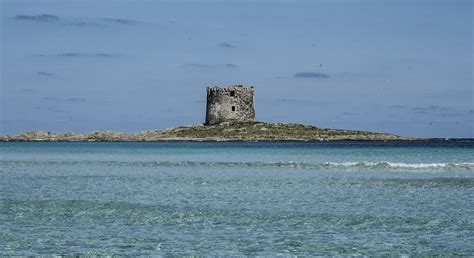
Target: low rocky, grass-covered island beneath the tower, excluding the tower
[[248, 131]]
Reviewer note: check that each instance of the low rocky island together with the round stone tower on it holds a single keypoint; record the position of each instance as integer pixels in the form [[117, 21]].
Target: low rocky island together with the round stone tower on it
[[230, 116]]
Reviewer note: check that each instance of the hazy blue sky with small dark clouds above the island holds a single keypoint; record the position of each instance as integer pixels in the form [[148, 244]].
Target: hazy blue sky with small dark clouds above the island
[[402, 67]]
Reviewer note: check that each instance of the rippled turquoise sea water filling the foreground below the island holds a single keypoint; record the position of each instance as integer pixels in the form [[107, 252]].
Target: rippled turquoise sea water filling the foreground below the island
[[237, 198]]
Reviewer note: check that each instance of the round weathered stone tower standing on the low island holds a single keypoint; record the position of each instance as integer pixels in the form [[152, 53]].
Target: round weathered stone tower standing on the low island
[[229, 104]]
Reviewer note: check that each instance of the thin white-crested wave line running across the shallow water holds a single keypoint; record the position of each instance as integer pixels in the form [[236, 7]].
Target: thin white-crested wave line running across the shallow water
[[343, 166]]
